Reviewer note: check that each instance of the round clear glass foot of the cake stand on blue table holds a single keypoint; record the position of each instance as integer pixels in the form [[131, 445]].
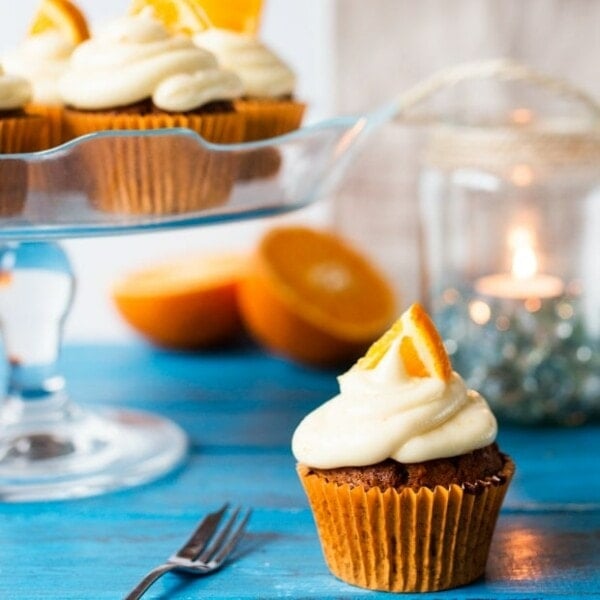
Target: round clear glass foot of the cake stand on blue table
[[86, 454]]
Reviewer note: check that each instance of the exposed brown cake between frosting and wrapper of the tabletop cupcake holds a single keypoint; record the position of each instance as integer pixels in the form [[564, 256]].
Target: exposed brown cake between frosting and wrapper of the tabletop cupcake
[[473, 471]]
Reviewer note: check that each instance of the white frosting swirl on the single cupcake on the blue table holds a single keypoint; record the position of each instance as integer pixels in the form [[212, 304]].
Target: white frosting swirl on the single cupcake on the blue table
[[383, 413]]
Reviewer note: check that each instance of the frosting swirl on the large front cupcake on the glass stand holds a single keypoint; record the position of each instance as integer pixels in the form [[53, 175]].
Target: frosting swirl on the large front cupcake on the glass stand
[[135, 58]]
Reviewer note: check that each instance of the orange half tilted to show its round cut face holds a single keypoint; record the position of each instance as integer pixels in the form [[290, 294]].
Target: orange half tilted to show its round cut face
[[311, 297]]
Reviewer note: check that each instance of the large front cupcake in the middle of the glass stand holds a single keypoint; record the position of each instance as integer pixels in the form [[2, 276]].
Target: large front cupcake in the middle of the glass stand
[[134, 75]]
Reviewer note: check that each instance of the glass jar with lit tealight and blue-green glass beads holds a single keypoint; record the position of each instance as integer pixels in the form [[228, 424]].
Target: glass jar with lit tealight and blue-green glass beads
[[511, 263]]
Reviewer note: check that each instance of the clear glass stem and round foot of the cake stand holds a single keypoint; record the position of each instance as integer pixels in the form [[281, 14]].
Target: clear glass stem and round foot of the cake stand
[[50, 447]]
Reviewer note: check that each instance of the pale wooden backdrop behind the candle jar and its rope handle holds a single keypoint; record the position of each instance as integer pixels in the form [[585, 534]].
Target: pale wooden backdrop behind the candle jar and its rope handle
[[385, 46]]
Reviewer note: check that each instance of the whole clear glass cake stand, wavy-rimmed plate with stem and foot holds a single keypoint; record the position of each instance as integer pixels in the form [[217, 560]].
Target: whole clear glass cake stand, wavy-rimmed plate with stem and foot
[[106, 184]]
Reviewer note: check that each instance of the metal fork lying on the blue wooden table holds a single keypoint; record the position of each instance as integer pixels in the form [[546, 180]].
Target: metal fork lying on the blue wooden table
[[205, 551]]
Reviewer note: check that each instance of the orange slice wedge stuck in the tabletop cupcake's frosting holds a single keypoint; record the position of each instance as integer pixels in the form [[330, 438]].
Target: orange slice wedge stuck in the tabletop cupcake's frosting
[[421, 348]]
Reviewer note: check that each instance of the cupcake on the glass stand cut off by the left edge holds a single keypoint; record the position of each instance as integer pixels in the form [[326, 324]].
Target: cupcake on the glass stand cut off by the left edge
[[19, 132]]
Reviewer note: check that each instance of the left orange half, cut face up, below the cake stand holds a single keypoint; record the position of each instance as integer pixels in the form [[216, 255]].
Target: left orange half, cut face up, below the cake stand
[[183, 303]]
